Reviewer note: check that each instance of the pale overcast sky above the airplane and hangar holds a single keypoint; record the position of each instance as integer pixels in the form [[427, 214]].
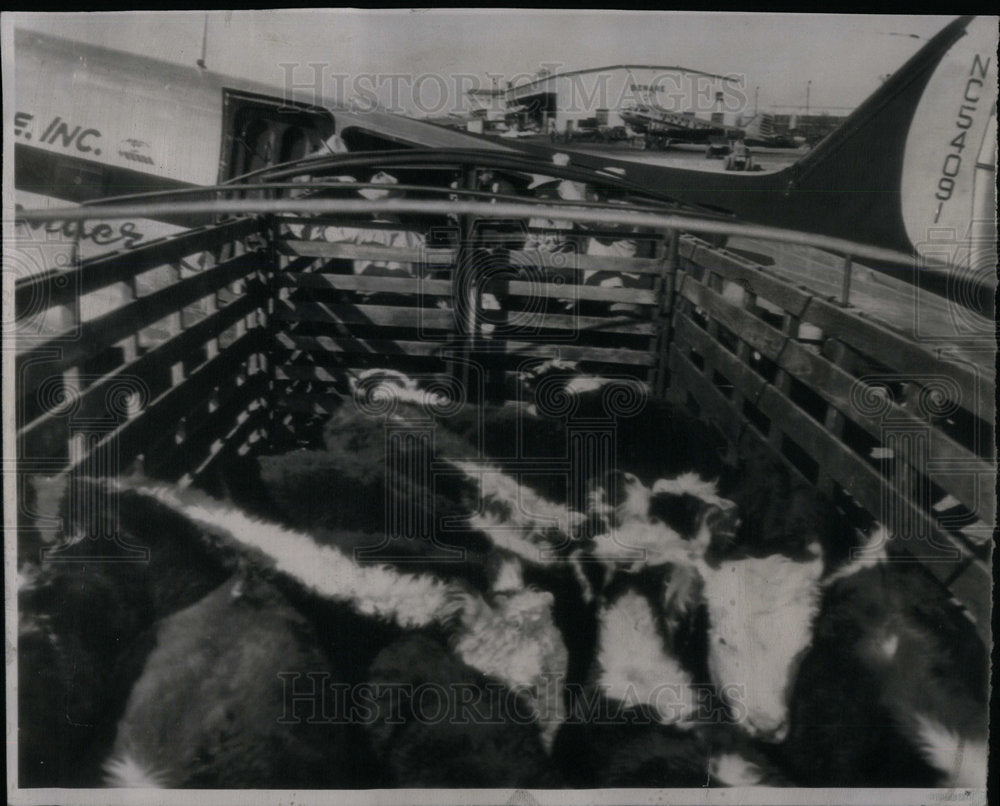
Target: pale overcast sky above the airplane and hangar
[[842, 55]]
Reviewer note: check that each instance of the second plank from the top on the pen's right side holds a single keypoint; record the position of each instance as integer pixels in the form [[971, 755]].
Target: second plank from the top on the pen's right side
[[839, 389]]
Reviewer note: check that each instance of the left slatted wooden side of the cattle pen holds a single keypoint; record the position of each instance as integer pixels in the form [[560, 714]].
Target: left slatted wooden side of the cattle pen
[[169, 370]]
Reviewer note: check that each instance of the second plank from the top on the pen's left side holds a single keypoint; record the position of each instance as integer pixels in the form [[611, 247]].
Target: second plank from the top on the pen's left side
[[105, 331]]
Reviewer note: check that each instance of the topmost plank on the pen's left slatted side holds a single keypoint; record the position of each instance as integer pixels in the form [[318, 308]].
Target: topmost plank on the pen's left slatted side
[[122, 265]]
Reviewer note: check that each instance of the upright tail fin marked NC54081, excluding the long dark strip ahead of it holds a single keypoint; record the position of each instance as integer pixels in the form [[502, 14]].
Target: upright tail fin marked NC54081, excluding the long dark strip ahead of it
[[910, 164]]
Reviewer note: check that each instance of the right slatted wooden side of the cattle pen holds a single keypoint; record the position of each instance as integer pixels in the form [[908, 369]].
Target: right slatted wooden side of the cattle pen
[[873, 418]]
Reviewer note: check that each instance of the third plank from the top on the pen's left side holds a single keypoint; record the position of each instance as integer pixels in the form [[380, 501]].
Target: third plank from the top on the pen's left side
[[167, 353]]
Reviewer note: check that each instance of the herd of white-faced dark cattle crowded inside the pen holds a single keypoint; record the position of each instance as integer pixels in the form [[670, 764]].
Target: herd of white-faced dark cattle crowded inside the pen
[[449, 595]]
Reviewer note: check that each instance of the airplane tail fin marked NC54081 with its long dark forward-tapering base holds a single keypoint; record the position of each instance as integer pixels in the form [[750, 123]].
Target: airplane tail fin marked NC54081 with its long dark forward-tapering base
[[910, 171]]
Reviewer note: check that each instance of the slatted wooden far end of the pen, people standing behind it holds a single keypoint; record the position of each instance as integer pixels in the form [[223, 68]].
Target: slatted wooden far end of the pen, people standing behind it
[[329, 321]]
